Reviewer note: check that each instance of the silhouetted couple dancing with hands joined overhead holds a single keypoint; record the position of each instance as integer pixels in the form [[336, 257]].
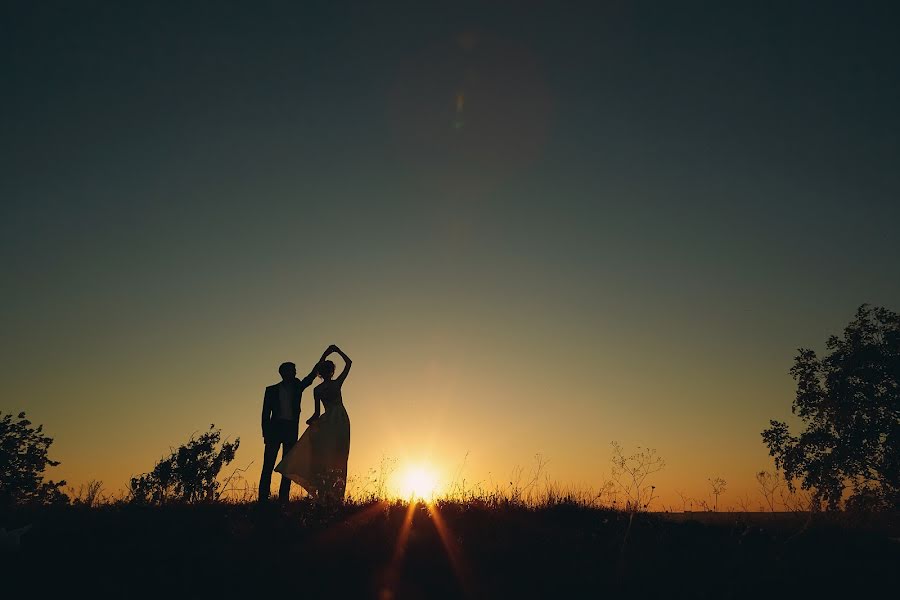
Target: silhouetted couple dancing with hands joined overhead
[[318, 460]]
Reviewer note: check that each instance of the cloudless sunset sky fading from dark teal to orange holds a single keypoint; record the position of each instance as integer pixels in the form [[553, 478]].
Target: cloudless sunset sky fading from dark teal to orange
[[537, 227]]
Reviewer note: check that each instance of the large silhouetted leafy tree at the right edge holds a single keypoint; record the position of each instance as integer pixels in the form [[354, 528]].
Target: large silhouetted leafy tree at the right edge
[[850, 403]]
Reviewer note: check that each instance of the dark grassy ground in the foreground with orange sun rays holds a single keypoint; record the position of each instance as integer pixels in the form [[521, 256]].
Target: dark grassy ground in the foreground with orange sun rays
[[391, 550]]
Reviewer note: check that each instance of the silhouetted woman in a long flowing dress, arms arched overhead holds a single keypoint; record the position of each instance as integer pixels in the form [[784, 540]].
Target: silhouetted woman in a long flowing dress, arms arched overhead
[[318, 461]]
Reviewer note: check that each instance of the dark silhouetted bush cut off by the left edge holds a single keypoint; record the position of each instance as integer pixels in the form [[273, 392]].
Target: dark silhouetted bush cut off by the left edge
[[23, 459]]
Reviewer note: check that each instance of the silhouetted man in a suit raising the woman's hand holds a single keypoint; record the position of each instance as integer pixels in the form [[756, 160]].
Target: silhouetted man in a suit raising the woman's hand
[[281, 424]]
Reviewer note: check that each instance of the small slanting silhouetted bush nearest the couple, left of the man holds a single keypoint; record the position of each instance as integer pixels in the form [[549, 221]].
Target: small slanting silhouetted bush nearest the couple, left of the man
[[188, 474]]
